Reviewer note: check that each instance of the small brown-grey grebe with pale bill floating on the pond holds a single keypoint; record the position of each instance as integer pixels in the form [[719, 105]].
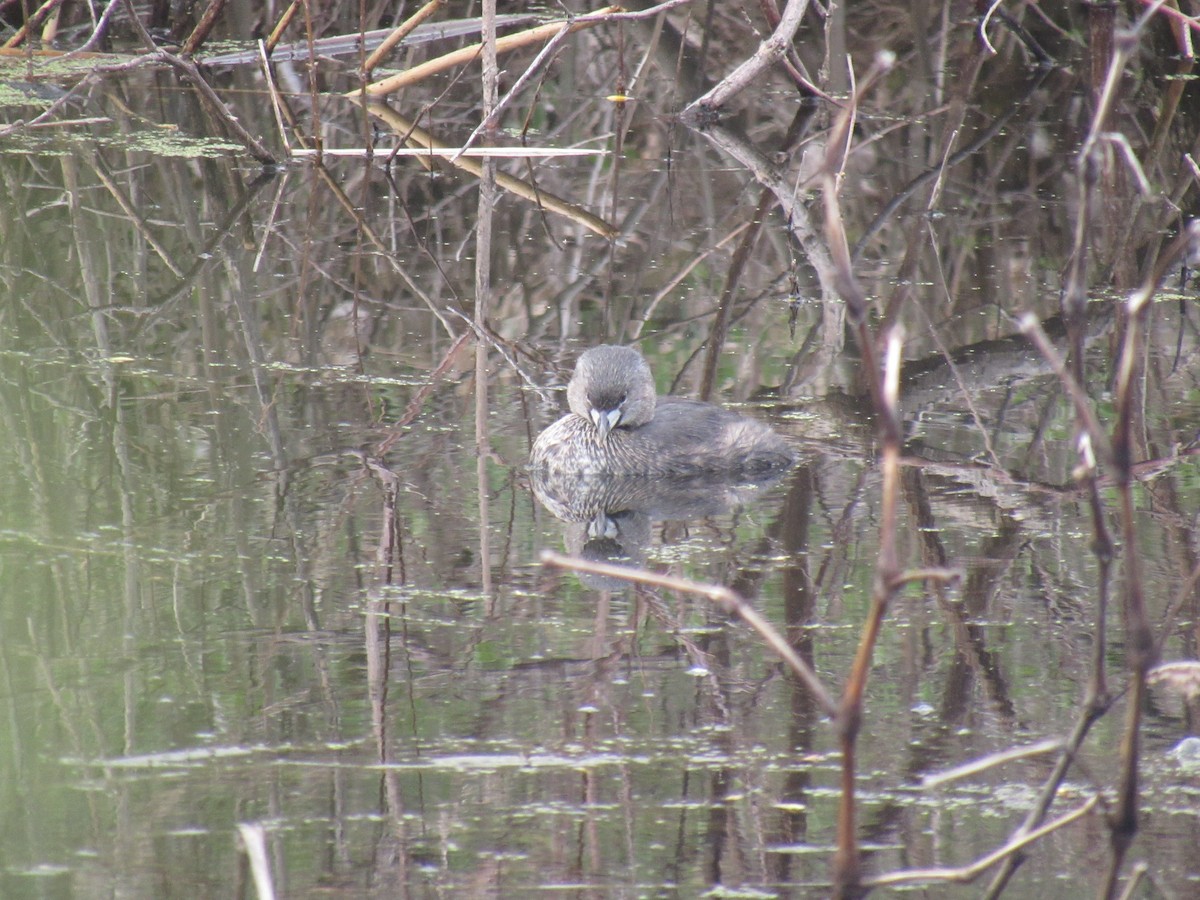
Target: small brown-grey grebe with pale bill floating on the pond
[[617, 427]]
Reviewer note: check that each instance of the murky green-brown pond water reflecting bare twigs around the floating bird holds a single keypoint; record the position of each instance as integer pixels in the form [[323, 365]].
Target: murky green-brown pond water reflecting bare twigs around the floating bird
[[256, 585]]
